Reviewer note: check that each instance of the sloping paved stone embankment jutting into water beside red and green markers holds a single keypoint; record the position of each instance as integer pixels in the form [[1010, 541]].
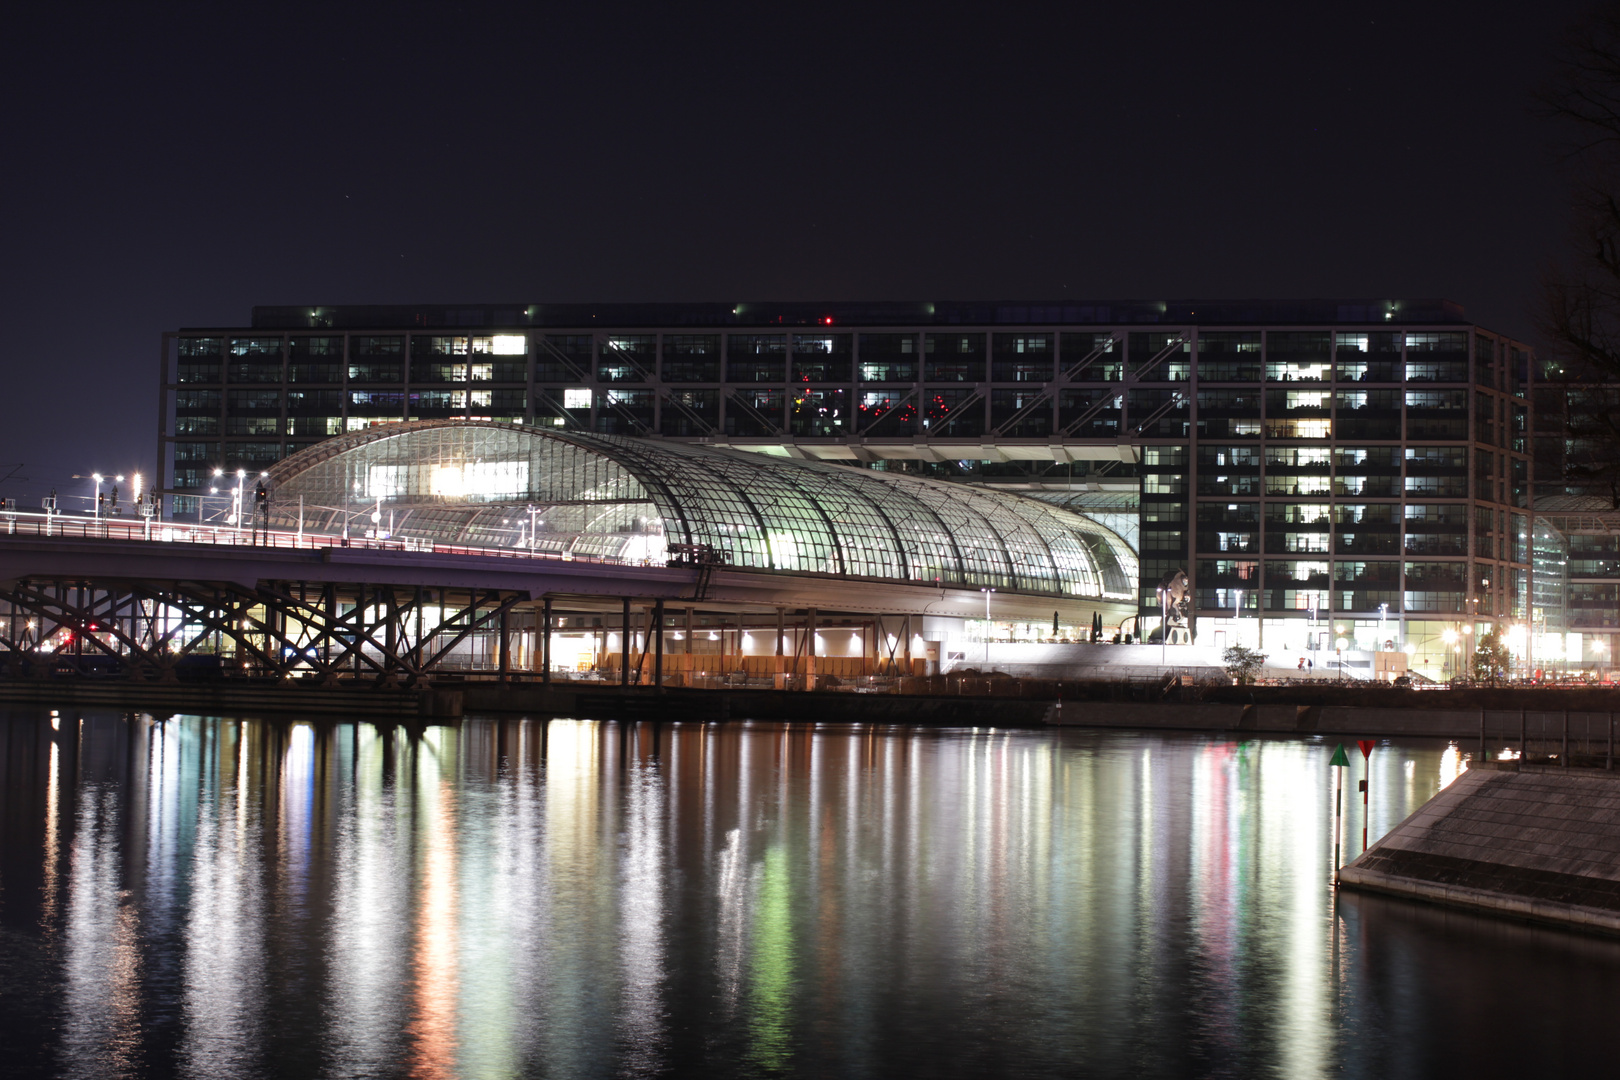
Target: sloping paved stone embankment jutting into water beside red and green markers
[[1527, 843]]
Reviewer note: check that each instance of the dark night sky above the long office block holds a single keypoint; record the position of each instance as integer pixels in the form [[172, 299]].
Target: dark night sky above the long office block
[[176, 169]]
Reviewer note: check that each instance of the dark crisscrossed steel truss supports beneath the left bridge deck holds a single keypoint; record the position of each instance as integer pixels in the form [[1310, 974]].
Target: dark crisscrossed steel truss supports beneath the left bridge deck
[[373, 632]]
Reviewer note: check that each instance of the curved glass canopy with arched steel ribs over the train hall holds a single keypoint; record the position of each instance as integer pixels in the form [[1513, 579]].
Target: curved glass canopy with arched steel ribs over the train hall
[[514, 487]]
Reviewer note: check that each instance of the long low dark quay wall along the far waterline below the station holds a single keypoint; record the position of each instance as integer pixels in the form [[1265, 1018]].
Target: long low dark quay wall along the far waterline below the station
[[1550, 721]]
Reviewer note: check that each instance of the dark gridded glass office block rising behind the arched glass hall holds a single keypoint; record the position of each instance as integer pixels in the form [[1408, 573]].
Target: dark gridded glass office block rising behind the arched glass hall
[[1363, 461]]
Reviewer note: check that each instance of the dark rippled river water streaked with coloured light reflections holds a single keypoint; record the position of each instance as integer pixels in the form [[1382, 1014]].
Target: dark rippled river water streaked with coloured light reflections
[[220, 898]]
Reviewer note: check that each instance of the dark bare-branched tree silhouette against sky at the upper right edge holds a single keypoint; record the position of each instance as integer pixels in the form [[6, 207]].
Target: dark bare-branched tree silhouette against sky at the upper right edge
[[1580, 304]]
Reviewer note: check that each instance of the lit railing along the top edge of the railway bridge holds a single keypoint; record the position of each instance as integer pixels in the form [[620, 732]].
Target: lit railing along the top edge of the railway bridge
[[70, 527]]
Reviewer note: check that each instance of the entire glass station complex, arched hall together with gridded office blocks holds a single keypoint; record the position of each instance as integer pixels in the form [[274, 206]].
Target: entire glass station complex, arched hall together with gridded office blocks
[[1334, 478]]
